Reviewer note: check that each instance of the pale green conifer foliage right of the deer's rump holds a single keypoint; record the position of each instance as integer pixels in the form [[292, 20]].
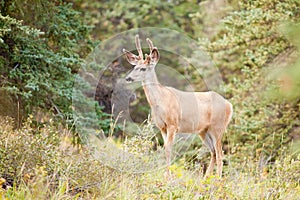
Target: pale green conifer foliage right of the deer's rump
[[243, 49]]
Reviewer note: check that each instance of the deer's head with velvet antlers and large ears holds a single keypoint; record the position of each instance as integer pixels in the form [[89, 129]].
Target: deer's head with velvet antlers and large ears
[[142, 66]]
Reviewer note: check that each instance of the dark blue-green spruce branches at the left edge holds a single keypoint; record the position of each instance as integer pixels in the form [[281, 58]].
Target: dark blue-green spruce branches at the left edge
[[37, 69]]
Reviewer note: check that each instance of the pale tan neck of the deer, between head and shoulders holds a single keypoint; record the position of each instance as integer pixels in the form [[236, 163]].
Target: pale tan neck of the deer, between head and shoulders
[[152, 88]]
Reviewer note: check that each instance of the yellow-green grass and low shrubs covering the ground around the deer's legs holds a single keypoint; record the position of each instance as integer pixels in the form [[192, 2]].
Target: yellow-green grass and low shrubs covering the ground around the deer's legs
[[40, 162]]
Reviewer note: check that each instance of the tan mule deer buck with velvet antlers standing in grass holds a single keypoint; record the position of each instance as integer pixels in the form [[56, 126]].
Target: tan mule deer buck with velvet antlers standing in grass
[[204, 113]]
